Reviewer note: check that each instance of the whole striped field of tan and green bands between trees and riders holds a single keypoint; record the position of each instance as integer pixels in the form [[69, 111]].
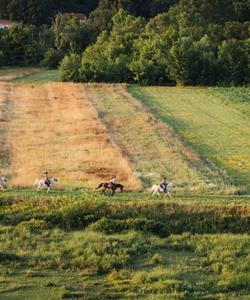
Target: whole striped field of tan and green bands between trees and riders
[[83, 134]]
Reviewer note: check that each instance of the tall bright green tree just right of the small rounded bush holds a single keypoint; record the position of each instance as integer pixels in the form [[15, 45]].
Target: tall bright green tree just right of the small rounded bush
[[109, 58]]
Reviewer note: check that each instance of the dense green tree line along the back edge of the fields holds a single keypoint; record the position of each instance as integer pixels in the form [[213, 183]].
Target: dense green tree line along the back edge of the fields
[[188, 42]]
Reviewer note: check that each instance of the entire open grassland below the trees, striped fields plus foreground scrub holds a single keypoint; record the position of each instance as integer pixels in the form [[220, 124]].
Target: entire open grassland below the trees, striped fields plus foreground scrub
[[76, 243]]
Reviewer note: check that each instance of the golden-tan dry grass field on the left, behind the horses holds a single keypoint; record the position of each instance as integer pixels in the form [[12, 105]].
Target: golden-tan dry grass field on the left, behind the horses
[[54, 127]]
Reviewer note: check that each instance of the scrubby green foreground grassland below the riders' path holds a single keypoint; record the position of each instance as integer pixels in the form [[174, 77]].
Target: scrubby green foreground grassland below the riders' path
[[82, 245]]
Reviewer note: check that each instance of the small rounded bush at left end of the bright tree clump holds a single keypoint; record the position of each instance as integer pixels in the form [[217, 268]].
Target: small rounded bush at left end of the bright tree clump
[[70, 68]]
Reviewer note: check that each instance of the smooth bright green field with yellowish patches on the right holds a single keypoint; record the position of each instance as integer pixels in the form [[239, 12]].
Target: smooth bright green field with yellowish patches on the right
[[214, 121]]
